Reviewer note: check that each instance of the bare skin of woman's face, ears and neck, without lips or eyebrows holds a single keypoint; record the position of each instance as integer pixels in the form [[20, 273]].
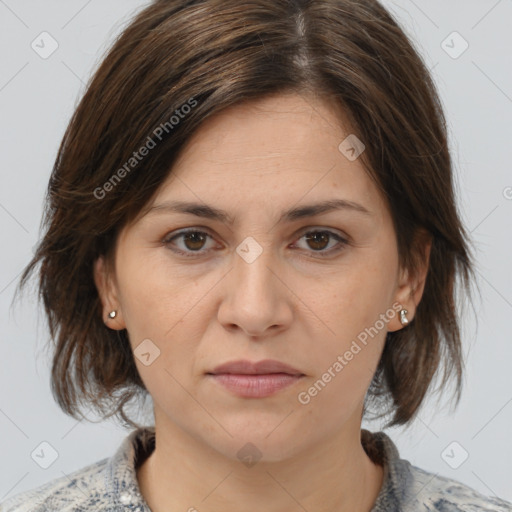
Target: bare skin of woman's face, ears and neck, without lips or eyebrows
[[291, 304]]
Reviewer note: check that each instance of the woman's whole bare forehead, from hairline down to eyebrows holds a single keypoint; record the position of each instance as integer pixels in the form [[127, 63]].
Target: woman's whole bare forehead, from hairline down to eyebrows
[[268, 155]]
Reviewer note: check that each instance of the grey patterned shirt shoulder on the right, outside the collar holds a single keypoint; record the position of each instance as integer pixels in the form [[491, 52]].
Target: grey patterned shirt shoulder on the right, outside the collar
[[433, 492]]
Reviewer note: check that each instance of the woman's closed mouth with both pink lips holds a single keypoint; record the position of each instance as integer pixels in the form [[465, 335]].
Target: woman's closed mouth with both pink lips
[[255, 380]]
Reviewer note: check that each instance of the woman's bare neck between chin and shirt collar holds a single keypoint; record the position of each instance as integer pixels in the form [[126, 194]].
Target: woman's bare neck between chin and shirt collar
[[183, 473]]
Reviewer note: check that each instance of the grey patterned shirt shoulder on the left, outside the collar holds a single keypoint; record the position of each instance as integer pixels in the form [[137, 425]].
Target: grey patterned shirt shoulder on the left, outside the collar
[[83, 489]]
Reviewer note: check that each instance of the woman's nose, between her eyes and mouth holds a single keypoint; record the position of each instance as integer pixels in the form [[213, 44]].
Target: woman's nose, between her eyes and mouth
[[256, 297]]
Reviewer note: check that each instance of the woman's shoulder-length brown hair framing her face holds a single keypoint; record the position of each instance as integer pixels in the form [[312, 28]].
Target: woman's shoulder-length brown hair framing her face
[[209, 55]]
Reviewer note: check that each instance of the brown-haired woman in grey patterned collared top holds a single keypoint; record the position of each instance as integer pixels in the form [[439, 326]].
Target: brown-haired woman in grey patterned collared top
[[251, 219]]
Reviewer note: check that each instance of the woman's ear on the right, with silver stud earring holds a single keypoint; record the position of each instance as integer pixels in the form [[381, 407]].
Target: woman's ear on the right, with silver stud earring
[[411, 284]]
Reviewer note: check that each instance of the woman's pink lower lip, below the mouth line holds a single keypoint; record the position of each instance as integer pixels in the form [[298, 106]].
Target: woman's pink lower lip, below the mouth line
[[255, 386]]
